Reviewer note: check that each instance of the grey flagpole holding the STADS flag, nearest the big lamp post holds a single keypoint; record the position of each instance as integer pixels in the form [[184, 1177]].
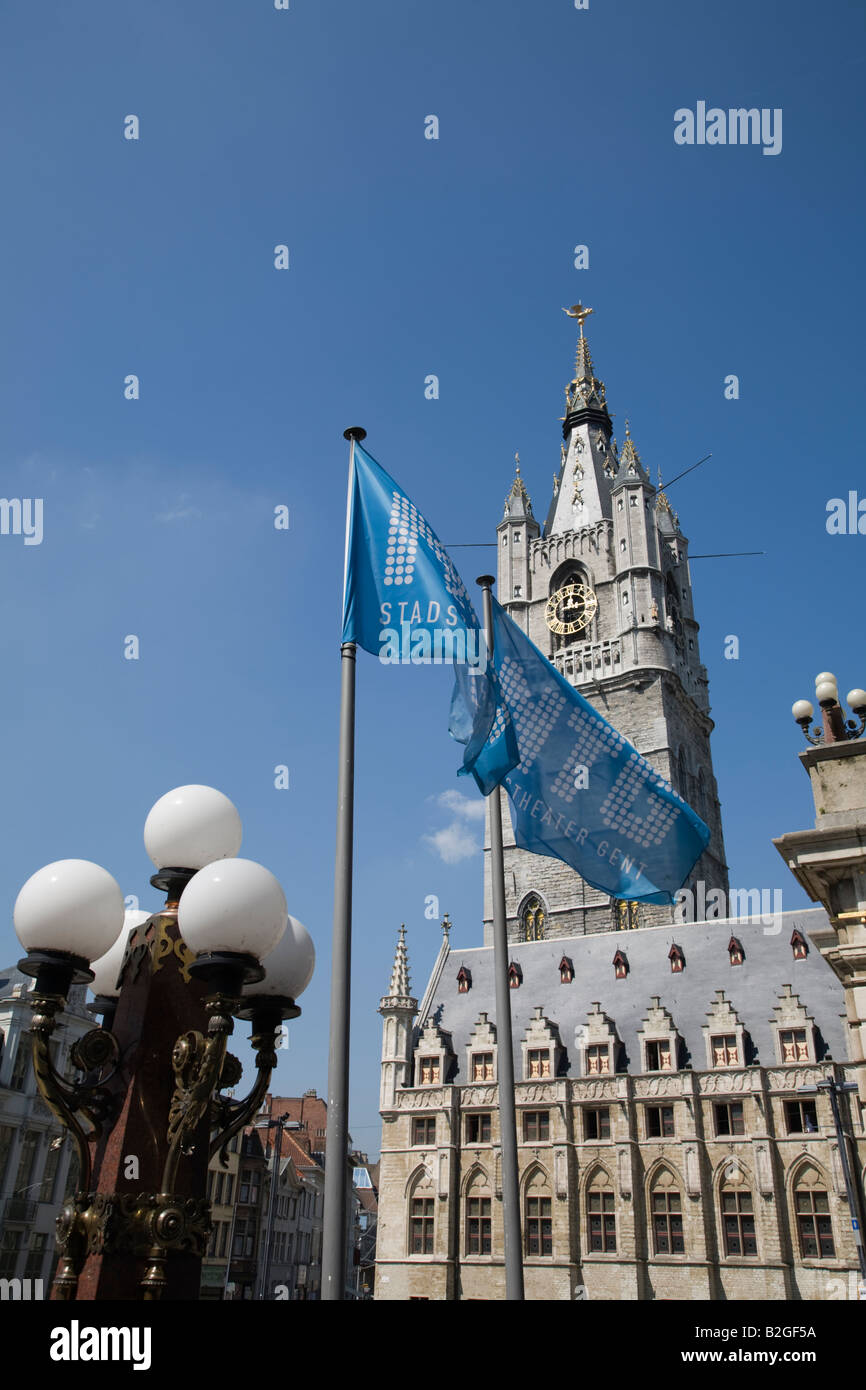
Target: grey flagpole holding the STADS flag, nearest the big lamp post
[[336, 1234]]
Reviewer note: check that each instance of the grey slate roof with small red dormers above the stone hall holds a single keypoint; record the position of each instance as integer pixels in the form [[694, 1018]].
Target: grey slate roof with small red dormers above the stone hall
[[753, 989]]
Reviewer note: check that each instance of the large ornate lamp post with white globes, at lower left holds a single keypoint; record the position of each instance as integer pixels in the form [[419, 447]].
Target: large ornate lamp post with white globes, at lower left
[[169, 986]]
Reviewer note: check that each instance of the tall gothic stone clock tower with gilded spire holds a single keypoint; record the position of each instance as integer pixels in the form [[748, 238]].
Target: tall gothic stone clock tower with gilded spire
[[605, 593]]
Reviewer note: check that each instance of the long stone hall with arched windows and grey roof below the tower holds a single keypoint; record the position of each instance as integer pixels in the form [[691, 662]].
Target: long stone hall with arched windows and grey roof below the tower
[[664, 1113]]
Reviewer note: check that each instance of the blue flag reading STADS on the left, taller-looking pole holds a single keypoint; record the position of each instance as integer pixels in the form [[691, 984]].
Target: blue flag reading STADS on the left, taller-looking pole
[[405, 603]]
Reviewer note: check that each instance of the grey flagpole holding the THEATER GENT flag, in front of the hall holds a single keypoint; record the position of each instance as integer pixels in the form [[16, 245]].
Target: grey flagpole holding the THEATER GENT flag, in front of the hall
[[508, 1120]]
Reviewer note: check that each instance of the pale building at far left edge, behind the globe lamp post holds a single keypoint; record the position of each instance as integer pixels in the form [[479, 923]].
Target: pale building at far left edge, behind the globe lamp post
[[38, 1161]]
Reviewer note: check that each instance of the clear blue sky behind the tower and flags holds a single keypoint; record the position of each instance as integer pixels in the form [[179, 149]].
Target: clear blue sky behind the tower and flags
[[407, 258]]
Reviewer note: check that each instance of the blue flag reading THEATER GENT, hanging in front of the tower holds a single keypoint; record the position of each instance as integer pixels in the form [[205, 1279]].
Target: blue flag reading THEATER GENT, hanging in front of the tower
[[582, 793]]
